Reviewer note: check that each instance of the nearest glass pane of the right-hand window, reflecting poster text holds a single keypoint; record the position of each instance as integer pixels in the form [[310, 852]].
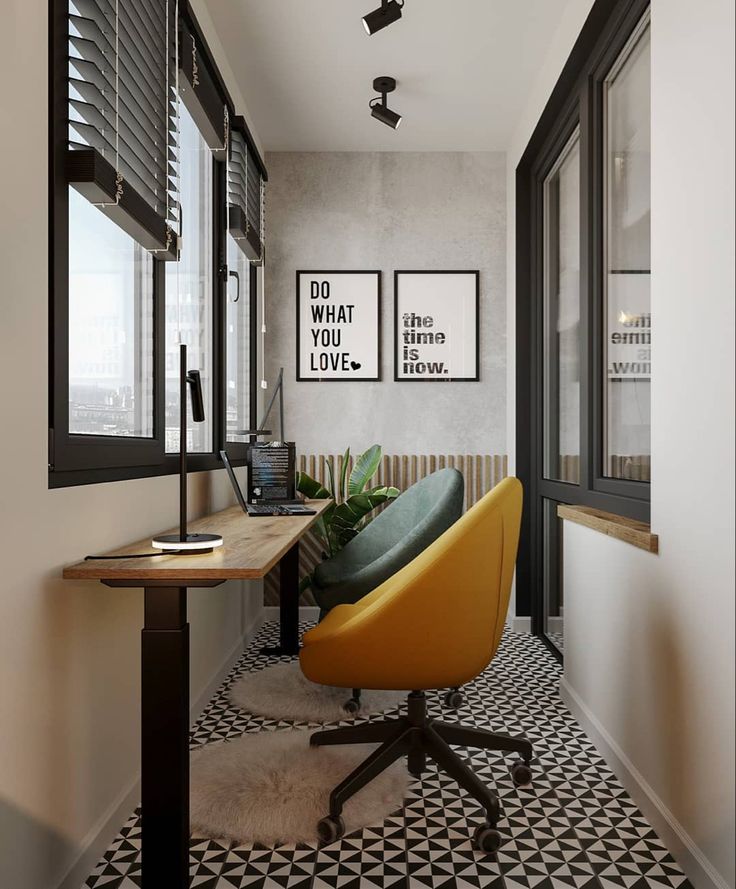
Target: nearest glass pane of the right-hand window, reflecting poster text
[[627, 262]]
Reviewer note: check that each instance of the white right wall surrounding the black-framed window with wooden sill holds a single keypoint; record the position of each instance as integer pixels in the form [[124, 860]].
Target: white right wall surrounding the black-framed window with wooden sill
[[649, 643]]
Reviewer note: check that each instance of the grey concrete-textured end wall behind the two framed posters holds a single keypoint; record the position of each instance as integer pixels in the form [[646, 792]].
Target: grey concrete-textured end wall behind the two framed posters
[[395, 210]]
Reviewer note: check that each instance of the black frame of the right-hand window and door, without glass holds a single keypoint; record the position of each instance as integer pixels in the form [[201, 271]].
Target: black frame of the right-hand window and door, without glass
[[575, 100]]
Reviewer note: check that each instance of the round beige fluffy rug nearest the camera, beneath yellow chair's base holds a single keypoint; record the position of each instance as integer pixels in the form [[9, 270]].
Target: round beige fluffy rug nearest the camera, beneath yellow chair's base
[[271, 787]]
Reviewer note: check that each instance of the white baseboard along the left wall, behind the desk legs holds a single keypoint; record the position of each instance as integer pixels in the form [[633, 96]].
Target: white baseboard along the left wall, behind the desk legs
[[108, 825]]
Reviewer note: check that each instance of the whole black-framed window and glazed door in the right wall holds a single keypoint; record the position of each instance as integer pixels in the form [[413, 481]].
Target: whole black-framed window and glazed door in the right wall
[[583, 316]]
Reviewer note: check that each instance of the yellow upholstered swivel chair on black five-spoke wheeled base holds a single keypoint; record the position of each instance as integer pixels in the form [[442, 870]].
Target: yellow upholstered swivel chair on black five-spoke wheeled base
[[436, 623]]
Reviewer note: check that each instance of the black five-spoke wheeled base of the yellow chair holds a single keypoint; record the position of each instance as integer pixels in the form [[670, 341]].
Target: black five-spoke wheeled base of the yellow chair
[[417, 738]]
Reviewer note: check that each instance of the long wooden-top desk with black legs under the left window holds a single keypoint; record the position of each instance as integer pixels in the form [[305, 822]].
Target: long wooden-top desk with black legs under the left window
[[252, 547]]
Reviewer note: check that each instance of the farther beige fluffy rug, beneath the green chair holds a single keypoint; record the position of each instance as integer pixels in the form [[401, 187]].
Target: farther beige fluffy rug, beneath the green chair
[[284, 692]]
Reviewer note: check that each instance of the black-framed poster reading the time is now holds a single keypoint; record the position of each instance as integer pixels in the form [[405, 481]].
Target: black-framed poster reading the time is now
[[436, 334]]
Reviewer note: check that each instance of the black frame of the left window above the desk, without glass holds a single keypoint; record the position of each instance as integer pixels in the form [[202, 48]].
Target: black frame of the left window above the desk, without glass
[[77, 459]]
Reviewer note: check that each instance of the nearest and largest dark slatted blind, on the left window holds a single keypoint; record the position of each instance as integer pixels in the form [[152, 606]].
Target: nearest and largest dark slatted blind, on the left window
[[122, 114]]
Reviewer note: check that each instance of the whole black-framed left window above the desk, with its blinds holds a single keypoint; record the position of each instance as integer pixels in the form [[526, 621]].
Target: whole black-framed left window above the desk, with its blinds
[[156, 200]]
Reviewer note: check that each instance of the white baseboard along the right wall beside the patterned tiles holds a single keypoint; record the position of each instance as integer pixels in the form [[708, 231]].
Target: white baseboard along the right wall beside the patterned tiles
[[688, 854]]
